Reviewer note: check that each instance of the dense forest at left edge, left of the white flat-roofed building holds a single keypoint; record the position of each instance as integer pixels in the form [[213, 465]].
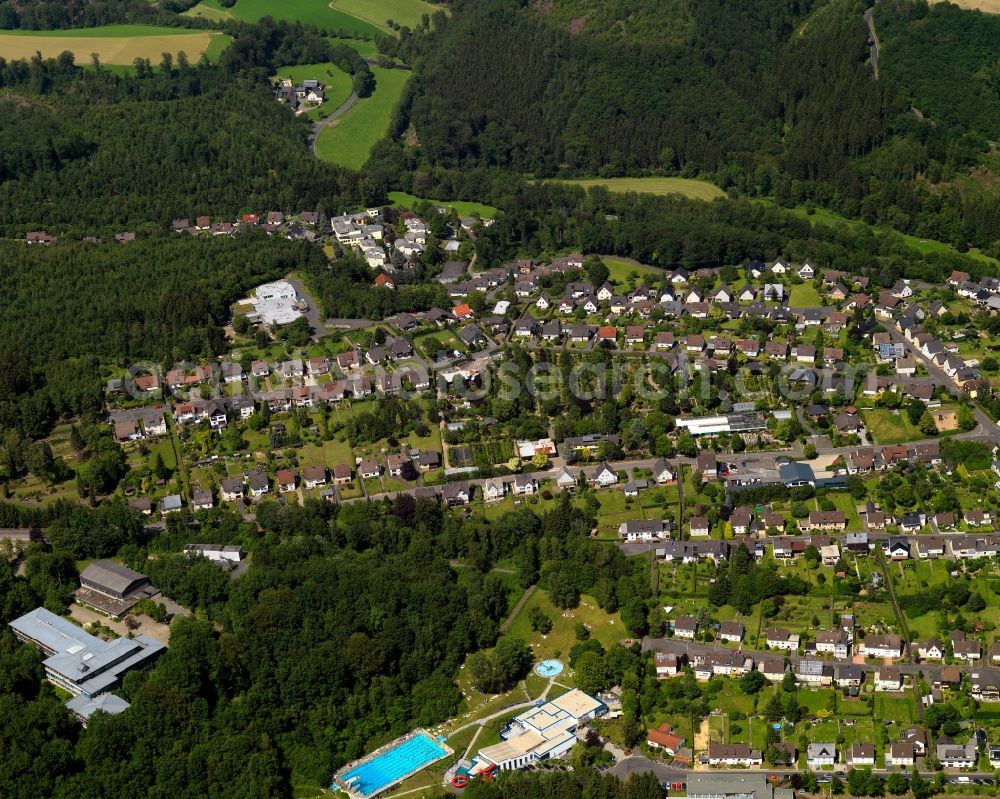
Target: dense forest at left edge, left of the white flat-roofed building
[[74, 306]]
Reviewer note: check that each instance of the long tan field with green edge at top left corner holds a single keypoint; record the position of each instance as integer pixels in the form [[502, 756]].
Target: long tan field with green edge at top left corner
[[114, 44]]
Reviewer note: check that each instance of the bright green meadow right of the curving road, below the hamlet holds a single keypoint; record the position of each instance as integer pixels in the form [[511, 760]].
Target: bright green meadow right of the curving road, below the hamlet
[[349, 141]]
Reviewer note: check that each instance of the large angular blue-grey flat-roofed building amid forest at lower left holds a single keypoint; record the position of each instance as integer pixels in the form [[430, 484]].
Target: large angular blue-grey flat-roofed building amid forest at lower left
[[79, 662]]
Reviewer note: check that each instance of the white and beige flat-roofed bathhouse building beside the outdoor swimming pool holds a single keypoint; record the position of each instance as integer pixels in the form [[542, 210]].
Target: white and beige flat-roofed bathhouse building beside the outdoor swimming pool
[[540, 733]]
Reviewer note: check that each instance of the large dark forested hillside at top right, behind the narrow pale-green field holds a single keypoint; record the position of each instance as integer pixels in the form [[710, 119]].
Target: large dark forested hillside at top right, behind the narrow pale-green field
[[774, 99]]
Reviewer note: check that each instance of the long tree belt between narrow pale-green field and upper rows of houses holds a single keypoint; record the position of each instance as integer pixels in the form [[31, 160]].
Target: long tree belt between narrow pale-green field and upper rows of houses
[[672, 231]]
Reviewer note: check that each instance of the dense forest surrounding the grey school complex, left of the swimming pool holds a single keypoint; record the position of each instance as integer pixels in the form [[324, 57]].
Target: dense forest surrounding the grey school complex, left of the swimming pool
[[347, 631]]
